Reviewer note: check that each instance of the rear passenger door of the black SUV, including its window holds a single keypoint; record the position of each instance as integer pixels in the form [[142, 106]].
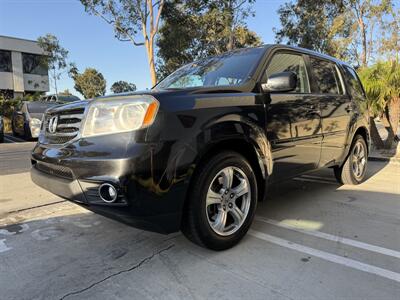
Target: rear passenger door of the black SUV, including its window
[[335, 106]]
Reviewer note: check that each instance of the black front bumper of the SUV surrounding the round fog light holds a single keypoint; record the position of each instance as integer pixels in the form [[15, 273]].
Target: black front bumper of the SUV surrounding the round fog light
[[150, 193]]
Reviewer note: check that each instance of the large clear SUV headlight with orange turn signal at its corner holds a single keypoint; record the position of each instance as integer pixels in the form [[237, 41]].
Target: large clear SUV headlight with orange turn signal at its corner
[[107, 116]]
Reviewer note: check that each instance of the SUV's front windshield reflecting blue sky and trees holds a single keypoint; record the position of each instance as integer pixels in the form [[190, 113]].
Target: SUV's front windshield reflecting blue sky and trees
[[228, 69]]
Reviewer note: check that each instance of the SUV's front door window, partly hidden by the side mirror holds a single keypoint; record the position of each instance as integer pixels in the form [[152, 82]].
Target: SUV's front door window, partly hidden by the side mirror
[[284, 62]]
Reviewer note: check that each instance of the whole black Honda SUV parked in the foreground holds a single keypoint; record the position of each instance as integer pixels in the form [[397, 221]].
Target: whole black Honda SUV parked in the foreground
[[197, 151]]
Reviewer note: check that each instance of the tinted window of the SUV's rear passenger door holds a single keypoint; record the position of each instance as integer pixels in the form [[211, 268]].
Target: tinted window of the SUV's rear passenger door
[[326, 77]]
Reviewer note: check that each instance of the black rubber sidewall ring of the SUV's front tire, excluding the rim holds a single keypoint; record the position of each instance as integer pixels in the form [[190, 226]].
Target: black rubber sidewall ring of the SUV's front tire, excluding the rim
[[207, 235]]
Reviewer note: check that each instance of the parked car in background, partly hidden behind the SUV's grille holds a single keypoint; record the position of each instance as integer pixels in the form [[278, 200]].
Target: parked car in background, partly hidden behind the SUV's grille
[[26, 120]]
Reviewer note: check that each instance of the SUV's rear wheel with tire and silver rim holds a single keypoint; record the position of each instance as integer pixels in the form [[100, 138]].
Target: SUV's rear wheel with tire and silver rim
[[348, 172]]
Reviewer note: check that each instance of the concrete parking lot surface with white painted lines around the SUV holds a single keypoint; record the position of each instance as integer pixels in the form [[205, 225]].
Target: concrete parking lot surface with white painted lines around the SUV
[[312, 239]]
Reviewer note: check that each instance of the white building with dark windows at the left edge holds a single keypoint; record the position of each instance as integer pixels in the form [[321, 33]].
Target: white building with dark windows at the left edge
[[21, 70]]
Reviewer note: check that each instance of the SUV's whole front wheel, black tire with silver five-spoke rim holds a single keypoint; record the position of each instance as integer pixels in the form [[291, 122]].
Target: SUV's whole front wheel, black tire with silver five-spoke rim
[[203, 222]]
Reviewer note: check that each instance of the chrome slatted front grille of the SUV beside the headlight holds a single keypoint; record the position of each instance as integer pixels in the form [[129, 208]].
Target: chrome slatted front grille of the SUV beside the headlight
[[68, 125]]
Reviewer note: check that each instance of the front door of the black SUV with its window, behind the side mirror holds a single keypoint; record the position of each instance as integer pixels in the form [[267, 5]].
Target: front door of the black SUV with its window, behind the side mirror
[[293, 121]]
